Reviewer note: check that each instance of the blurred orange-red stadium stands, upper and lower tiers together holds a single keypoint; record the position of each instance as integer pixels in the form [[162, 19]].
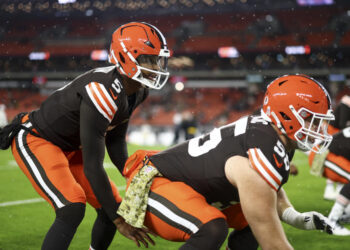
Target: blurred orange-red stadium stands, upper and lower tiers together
[[194, 39]]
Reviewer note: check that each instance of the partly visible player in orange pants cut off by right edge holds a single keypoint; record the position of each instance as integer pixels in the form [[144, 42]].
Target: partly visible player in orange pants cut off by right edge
[[334, 164]]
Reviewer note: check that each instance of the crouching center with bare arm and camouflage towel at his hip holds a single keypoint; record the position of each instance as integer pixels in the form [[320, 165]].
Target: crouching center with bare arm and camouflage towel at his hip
[[233, 176]]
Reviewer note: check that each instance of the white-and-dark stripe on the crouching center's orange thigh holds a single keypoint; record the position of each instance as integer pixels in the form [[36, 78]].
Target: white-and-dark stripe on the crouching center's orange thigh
[[172, 215]]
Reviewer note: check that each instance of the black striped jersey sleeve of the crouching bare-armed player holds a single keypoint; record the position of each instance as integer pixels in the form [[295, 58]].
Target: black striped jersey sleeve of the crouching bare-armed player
[[269, 158]]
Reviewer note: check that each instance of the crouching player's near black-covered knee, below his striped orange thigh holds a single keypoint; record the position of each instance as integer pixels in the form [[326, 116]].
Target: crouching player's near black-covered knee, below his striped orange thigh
[[210, 236]]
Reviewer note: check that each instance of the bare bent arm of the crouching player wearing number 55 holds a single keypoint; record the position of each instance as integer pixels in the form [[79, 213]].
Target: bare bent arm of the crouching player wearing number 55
[[259, 202]]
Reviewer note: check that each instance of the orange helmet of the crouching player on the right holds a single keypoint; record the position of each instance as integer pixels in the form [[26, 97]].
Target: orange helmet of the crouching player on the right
[[300, 107]]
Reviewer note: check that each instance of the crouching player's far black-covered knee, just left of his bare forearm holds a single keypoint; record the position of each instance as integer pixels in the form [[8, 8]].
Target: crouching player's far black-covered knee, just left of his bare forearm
[[242, 240]]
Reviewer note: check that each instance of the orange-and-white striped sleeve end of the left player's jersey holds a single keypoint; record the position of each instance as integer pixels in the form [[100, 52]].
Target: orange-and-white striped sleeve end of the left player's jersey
[[102, 100]]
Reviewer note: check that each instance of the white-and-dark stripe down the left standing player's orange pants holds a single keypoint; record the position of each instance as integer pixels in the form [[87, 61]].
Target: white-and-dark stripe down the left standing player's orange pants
[[37, 172]]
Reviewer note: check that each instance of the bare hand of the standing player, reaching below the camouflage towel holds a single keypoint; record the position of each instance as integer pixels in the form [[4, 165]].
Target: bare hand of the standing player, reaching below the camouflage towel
[[136, 234]]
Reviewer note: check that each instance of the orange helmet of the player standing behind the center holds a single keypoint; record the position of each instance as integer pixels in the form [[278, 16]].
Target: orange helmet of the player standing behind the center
[[133, 45]]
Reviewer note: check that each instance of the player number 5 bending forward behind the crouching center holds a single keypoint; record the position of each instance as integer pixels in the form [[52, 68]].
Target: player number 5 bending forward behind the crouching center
[[61, 146]]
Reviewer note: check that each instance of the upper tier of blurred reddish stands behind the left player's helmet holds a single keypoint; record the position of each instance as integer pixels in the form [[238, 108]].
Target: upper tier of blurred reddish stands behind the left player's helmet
[[260, 38]]
